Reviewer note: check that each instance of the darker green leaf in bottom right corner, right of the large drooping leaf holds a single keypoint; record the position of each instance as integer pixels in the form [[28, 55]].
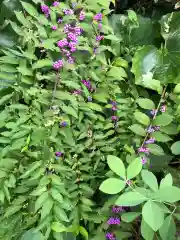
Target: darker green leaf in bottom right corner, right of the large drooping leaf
[[168, 229]]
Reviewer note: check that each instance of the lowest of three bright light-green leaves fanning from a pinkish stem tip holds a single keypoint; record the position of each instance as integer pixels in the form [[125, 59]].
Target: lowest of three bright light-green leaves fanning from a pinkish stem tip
[[112, 185]]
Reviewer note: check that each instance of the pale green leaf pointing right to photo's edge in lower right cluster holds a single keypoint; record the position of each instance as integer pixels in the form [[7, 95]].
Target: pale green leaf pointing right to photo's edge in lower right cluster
[[169, 194]]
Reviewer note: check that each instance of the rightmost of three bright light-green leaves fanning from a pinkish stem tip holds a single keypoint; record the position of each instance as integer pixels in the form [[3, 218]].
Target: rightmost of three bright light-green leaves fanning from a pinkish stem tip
[[134, 168]]
